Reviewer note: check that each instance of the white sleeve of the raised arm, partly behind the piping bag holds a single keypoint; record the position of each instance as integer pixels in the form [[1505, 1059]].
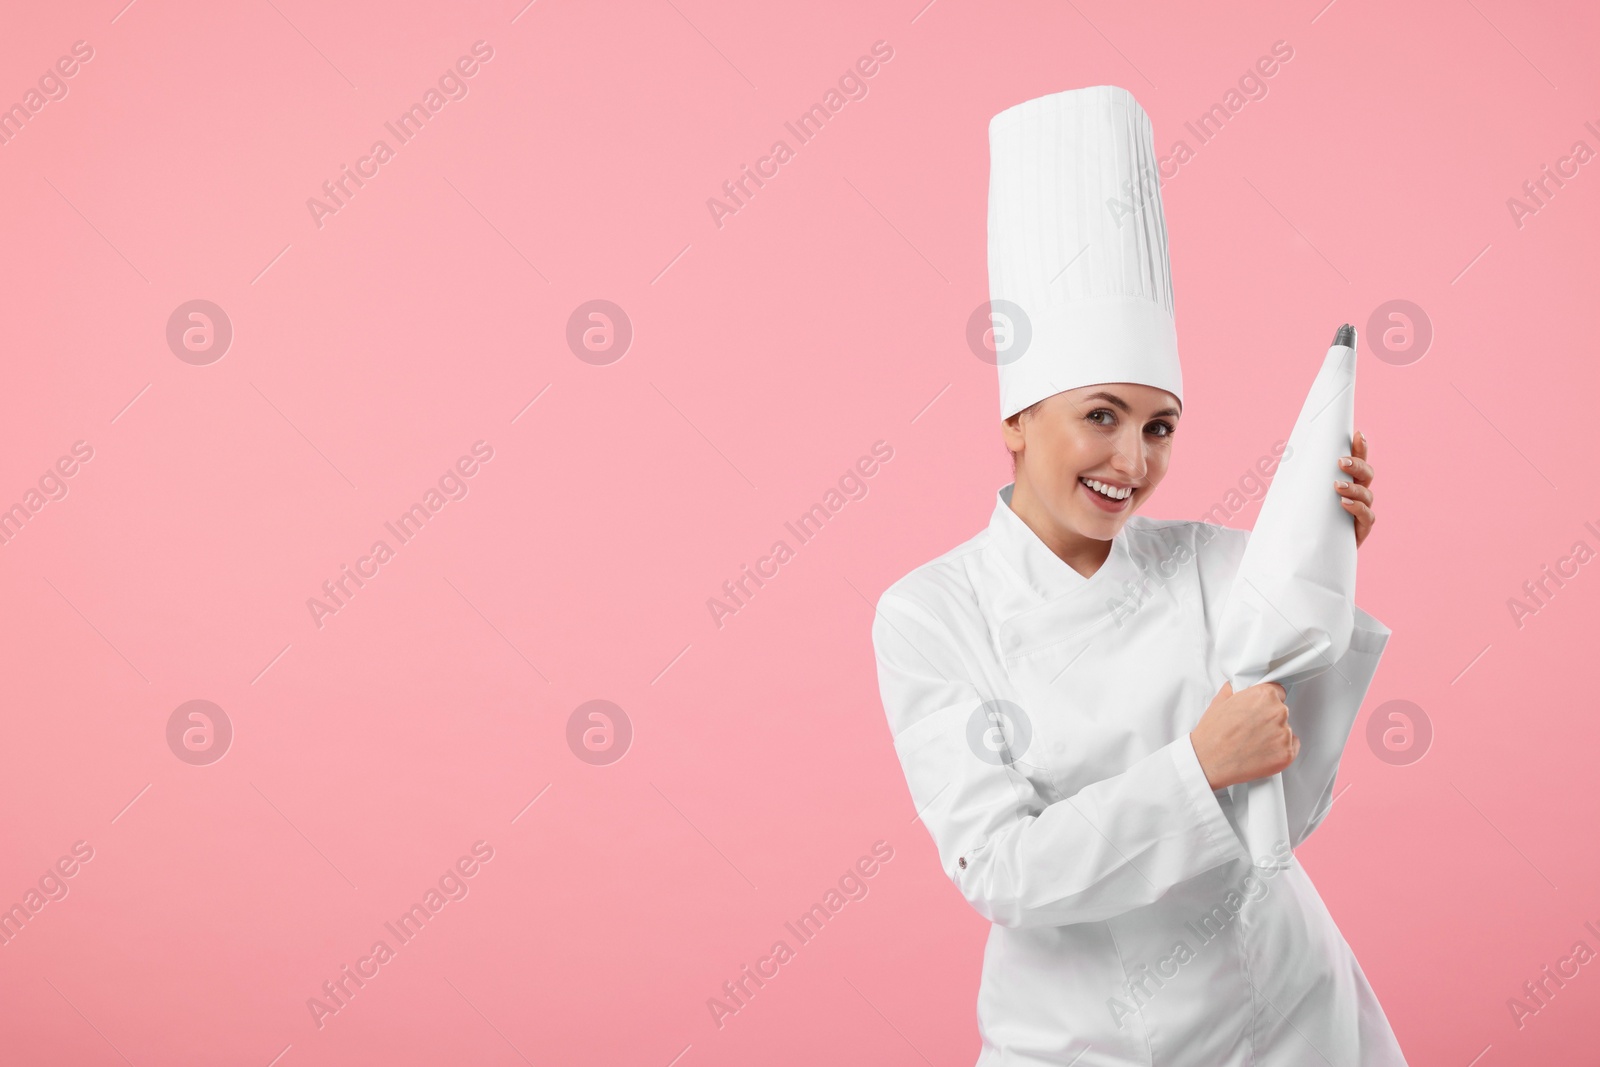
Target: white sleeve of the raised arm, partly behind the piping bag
[[1322, 713]]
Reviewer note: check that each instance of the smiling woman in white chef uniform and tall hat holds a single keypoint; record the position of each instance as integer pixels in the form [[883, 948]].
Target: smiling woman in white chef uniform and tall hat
[[1052, 684]]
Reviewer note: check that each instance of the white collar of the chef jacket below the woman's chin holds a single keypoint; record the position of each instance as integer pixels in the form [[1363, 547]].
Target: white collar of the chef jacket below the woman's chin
[[1046, 599]]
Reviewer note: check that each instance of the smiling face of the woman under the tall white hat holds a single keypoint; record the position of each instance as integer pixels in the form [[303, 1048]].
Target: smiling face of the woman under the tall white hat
[[1118, 436]]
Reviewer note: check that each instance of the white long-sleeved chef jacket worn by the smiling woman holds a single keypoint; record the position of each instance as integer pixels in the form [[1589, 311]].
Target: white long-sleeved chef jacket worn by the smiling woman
[[1042, 721]]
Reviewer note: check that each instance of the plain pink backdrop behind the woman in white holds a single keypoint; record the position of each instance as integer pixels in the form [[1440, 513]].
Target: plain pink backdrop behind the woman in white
[[769, 354]]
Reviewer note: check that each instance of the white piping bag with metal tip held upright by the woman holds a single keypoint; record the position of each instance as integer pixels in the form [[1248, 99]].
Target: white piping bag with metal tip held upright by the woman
[[1292, 610]]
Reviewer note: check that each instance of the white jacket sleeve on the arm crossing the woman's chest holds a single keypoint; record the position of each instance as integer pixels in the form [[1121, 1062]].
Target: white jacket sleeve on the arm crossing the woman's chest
[[1020, 860]]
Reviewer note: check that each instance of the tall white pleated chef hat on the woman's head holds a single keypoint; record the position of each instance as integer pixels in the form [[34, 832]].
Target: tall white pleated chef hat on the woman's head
[[1079, 279]]
